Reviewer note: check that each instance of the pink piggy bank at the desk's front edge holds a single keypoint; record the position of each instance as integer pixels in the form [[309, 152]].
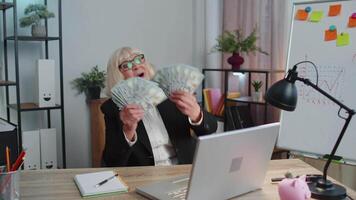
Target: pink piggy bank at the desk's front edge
[[294, 189]]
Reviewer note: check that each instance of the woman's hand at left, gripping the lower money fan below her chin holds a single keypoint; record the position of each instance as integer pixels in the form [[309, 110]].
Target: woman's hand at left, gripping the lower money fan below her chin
[[130, 116]]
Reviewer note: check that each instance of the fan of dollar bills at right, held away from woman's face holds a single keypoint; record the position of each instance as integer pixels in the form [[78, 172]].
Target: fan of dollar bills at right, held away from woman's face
[[178, 77]]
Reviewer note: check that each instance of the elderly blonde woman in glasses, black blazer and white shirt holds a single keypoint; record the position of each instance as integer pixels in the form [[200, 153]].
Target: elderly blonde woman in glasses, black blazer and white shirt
[[159, 136]]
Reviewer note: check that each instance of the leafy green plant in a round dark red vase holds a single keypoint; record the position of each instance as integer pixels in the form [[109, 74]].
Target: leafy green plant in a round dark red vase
[[234, 42]]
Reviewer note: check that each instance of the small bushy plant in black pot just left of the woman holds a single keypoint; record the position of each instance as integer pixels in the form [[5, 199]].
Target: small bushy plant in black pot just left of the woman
[[90, 83]]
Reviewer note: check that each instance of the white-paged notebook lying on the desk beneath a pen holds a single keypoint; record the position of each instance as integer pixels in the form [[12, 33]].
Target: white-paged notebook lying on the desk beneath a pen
[[87, 184]]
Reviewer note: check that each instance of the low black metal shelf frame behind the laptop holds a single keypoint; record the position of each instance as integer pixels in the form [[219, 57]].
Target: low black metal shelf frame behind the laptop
[[244, 99]]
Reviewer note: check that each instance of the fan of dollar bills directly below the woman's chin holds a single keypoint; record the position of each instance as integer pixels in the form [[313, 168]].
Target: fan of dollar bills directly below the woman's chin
[[137, 91]]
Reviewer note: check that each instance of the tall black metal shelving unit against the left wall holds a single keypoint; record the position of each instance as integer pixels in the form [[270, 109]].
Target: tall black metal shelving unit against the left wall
[[18, 105]]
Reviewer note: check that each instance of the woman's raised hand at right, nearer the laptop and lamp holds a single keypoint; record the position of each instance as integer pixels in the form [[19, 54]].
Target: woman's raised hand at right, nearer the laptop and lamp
[[187, 104]]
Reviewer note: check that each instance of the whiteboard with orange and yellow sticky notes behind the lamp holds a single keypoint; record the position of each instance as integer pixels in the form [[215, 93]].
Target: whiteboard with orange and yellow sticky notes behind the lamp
[[314, 126]]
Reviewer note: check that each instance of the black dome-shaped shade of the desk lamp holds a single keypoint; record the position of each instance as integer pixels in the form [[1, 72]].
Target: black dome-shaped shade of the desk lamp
[[283, 94]]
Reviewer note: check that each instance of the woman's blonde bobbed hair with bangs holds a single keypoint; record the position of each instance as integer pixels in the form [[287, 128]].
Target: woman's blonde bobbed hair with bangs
[[113, 73]]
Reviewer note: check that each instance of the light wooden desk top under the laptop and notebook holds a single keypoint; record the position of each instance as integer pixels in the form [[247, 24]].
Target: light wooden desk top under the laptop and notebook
[[58, 184]]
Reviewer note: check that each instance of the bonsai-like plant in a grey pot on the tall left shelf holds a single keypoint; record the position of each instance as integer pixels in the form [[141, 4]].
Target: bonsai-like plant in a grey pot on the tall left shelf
[[34, 13]]
